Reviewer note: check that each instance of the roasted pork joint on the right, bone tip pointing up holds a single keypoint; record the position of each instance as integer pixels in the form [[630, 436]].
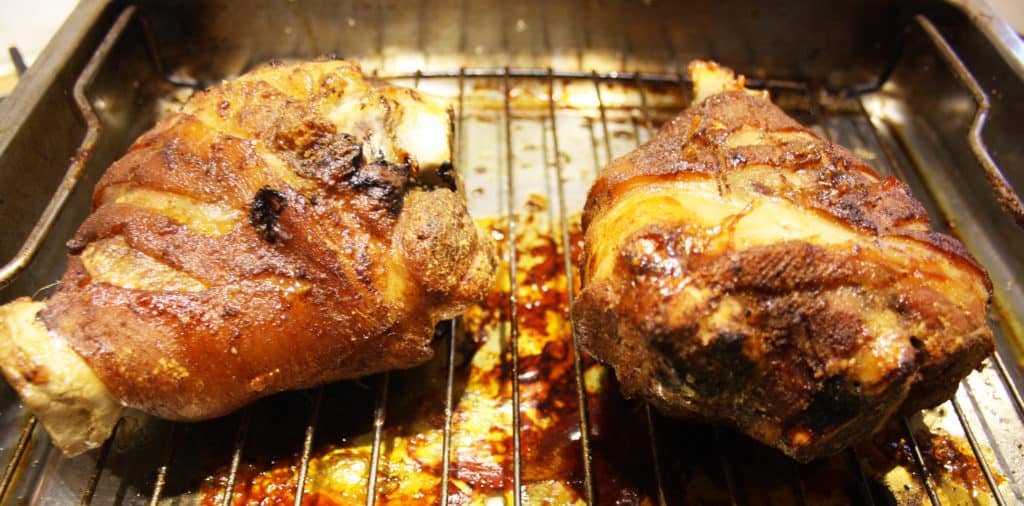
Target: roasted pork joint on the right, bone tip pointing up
[[740, 270]]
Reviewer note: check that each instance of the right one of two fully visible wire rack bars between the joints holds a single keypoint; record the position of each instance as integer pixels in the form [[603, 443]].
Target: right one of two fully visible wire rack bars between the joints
[[571, 287]]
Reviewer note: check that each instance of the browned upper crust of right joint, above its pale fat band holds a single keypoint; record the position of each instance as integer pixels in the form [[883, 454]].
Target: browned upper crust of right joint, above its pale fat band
[[694, 145]]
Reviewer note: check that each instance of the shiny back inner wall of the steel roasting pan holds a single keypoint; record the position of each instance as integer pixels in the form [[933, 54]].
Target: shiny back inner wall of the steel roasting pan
[[577, 35]]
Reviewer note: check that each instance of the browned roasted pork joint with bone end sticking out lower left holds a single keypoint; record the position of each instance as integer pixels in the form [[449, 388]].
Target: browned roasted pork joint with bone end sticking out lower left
[[291, 228]]
